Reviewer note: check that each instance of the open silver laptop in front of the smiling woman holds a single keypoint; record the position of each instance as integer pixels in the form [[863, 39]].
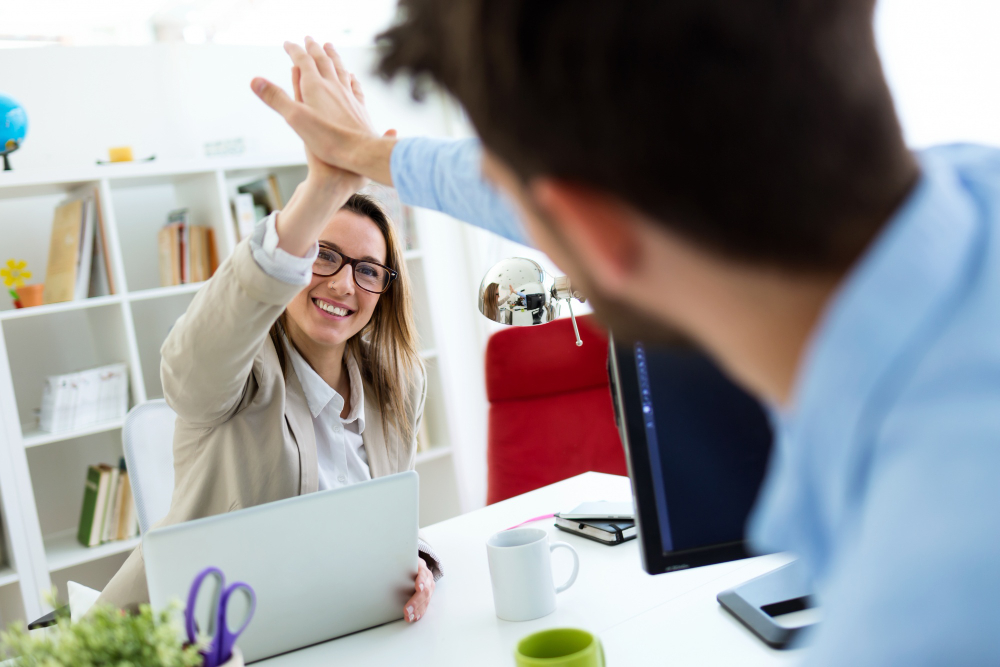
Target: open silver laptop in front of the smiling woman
[[322, 565]]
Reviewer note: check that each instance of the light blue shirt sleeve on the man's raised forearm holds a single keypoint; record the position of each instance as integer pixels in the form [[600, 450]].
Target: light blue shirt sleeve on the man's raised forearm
[[446, 175]]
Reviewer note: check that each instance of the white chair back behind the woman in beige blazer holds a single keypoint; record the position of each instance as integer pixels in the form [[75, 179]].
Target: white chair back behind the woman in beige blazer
[[148, 439]]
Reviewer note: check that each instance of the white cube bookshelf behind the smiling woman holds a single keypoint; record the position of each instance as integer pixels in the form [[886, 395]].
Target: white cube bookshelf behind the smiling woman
[[42, 474]]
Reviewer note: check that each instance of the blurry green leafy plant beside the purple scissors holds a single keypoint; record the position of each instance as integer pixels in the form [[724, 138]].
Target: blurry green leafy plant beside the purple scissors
[[106, 636]]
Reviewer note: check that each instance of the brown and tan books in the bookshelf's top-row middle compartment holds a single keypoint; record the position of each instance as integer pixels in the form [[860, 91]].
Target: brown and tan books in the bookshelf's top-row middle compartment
[[187, 252]]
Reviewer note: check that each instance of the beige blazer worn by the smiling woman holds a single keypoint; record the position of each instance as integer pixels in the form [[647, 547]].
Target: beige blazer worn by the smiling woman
[[244, 434]]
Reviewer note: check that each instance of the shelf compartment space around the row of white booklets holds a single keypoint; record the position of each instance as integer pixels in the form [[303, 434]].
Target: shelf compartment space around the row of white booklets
[[62, 342]]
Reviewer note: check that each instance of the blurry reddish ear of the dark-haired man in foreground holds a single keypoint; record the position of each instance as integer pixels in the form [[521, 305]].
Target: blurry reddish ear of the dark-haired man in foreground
[[601, 228]]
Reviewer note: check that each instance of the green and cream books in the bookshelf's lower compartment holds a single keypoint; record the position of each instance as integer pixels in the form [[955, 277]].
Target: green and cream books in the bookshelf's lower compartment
[[108, 512]]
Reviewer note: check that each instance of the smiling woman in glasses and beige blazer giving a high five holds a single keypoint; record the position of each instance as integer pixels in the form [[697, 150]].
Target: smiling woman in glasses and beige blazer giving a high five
[[295, 367]]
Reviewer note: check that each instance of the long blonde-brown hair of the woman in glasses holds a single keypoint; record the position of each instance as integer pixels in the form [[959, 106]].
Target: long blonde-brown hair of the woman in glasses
[[389, 359]]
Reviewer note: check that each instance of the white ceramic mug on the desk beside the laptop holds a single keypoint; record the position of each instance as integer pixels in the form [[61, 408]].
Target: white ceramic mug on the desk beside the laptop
[[521, 572]]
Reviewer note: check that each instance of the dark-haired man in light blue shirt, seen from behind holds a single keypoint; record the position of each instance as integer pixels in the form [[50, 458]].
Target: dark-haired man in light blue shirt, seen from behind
[[735, 171]]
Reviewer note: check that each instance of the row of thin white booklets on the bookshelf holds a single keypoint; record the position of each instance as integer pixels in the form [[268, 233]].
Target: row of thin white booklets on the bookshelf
[[77, 400]]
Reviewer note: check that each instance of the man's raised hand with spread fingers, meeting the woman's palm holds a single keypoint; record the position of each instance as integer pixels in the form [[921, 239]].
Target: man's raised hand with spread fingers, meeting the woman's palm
[[329, 111]]
